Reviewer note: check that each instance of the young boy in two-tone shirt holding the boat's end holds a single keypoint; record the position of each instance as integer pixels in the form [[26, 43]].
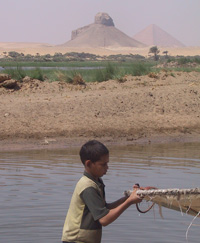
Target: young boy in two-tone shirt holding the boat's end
[[88, 210]]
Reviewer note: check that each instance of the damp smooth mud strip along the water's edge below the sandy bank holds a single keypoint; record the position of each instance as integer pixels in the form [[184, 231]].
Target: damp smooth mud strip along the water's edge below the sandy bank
[[17, 144]]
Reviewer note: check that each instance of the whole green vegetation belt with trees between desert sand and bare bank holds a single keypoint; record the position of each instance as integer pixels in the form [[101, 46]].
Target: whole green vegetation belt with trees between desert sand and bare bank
[[84, 67]]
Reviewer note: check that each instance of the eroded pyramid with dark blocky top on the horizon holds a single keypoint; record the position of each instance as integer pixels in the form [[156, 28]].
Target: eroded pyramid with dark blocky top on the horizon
[[102, 33]]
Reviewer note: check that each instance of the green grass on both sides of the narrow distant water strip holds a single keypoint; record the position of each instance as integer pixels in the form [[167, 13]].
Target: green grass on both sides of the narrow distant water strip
[[103, 70]]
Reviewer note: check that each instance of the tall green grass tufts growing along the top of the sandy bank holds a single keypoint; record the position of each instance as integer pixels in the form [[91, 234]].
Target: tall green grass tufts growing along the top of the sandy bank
[[104, 72]]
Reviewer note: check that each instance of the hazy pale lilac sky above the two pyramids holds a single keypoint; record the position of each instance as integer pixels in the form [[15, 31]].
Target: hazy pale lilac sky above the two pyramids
[[51, 21]]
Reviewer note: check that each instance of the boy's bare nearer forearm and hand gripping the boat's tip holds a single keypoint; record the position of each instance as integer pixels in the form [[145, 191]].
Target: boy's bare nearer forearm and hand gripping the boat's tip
[[116, 212]]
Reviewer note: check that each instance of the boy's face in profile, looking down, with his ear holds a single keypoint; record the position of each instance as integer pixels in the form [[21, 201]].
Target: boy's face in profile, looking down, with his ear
[[98, 168]]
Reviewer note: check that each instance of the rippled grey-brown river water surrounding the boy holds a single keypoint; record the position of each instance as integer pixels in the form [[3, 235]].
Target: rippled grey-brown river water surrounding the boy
[[36, 188]]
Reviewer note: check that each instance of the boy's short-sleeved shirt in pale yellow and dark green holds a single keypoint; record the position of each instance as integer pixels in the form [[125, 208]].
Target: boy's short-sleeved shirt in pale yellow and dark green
[[86, 208]]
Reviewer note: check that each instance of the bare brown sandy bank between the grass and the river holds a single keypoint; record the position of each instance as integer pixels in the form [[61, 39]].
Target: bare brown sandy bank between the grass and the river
[[46, 115]]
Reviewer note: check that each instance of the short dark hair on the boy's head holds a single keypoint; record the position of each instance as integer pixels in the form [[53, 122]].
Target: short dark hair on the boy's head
[[93, 150]]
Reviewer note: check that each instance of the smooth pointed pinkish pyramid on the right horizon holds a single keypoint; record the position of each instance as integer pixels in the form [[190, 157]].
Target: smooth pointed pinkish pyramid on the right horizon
[[154, 35]]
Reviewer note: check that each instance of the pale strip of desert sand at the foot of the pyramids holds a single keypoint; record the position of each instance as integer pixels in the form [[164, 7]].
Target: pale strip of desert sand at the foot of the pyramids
[[43, 48]]
